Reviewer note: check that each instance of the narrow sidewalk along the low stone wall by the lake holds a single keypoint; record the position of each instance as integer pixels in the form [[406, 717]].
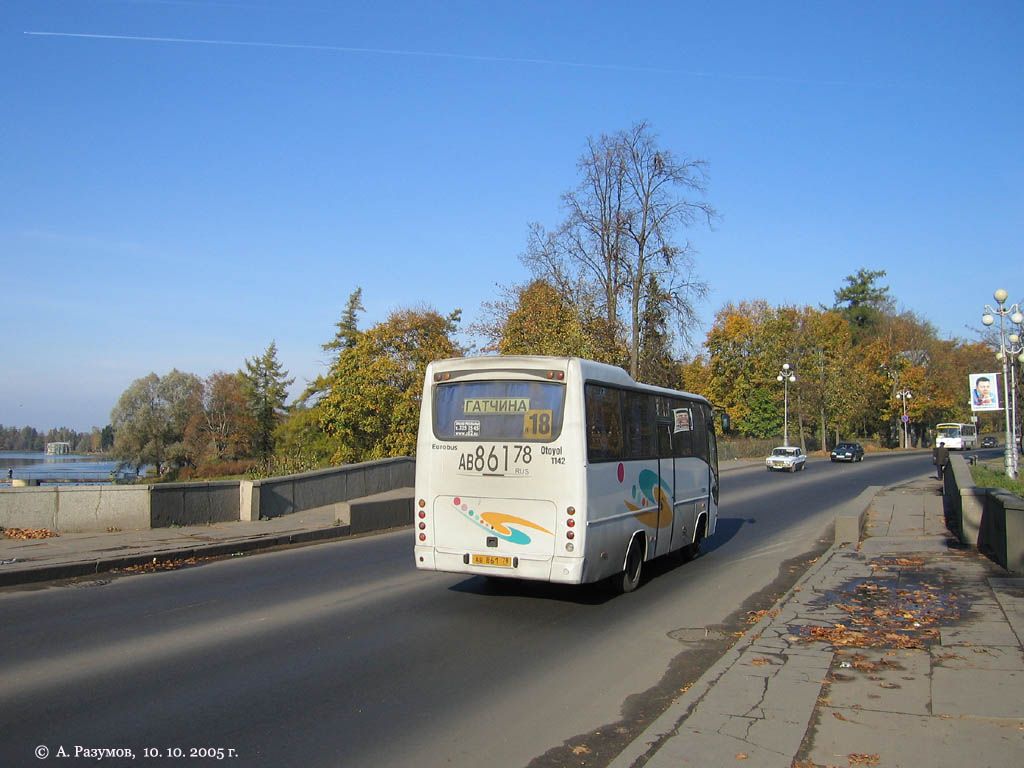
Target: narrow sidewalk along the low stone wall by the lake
[[71, 556]]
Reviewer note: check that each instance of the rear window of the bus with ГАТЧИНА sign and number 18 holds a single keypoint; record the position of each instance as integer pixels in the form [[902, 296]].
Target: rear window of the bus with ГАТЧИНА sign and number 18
[[499, 411]]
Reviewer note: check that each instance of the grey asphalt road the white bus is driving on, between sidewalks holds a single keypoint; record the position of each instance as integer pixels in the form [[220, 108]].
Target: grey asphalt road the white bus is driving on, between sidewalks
[[344, 655]]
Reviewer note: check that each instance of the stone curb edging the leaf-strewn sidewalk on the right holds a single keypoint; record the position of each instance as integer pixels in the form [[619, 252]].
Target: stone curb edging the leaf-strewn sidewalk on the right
[[667, 724]]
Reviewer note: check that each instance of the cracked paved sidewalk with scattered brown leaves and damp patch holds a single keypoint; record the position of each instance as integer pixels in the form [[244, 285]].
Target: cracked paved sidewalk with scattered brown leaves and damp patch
[[899, 652]]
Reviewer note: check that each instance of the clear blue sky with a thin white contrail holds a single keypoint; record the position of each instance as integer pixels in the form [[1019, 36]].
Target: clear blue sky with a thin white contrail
[[183, 182]]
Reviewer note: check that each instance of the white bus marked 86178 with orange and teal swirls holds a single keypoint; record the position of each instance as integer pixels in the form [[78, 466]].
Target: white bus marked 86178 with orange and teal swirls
[[560, 470]]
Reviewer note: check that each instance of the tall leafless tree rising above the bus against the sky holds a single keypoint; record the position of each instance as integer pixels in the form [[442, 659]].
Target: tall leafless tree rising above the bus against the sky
[[621, 231]]
